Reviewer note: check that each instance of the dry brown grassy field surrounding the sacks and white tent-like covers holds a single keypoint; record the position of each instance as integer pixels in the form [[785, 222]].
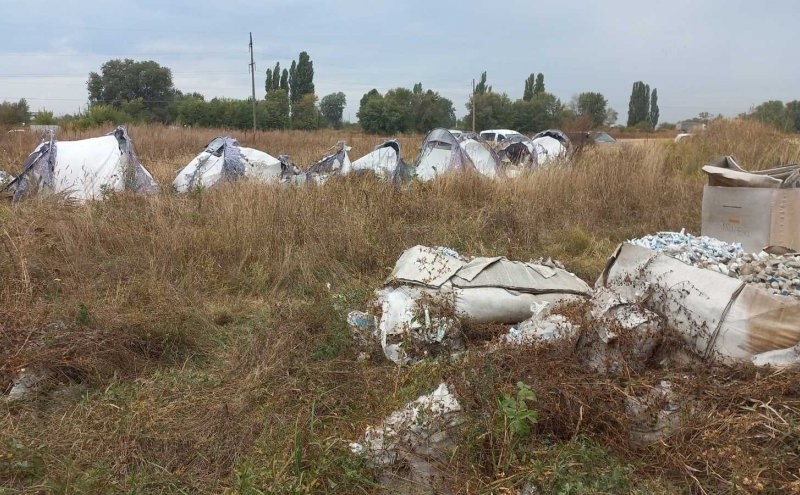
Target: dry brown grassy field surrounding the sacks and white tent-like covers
[[197, 343]]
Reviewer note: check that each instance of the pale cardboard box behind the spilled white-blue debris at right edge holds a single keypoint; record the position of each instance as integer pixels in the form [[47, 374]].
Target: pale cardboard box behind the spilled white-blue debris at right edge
[[755, 216]]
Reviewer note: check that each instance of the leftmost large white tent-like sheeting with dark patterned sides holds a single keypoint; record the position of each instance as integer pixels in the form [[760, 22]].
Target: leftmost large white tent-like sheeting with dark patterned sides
[[85, 169]]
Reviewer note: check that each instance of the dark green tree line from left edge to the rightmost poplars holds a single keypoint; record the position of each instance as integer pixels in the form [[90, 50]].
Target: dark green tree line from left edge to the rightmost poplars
[[125, 90]]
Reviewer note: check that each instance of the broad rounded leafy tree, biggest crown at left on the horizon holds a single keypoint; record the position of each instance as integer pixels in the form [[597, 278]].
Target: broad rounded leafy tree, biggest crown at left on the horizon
[[125, 80]]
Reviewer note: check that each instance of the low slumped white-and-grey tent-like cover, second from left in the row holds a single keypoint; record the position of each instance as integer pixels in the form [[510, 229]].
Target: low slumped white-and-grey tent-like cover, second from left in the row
[[224, 160]]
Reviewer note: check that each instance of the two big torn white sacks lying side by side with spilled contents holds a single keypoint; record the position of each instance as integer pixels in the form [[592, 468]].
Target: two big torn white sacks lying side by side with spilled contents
[[679, 284]]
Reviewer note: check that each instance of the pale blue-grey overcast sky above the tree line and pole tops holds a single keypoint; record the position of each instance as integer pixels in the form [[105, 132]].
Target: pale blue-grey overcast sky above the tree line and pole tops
[[715, 56]]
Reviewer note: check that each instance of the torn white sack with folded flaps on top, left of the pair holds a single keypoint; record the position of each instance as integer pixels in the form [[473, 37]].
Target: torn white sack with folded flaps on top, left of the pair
[[430, 288]]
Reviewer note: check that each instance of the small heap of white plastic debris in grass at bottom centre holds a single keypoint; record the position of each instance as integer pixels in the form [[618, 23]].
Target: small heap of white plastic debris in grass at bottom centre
[[419, 436]]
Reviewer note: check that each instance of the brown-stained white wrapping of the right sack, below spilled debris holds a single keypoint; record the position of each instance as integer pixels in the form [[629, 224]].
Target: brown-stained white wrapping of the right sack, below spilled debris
[[719, 317]]
